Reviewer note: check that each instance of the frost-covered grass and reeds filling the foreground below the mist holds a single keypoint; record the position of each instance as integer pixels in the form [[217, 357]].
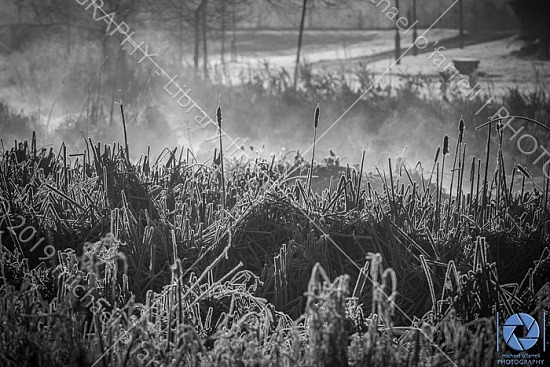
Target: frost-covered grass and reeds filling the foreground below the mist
[[170, 262]]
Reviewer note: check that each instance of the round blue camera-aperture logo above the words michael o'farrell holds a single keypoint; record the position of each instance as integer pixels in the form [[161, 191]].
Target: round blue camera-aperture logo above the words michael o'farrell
[[530, 326]]
